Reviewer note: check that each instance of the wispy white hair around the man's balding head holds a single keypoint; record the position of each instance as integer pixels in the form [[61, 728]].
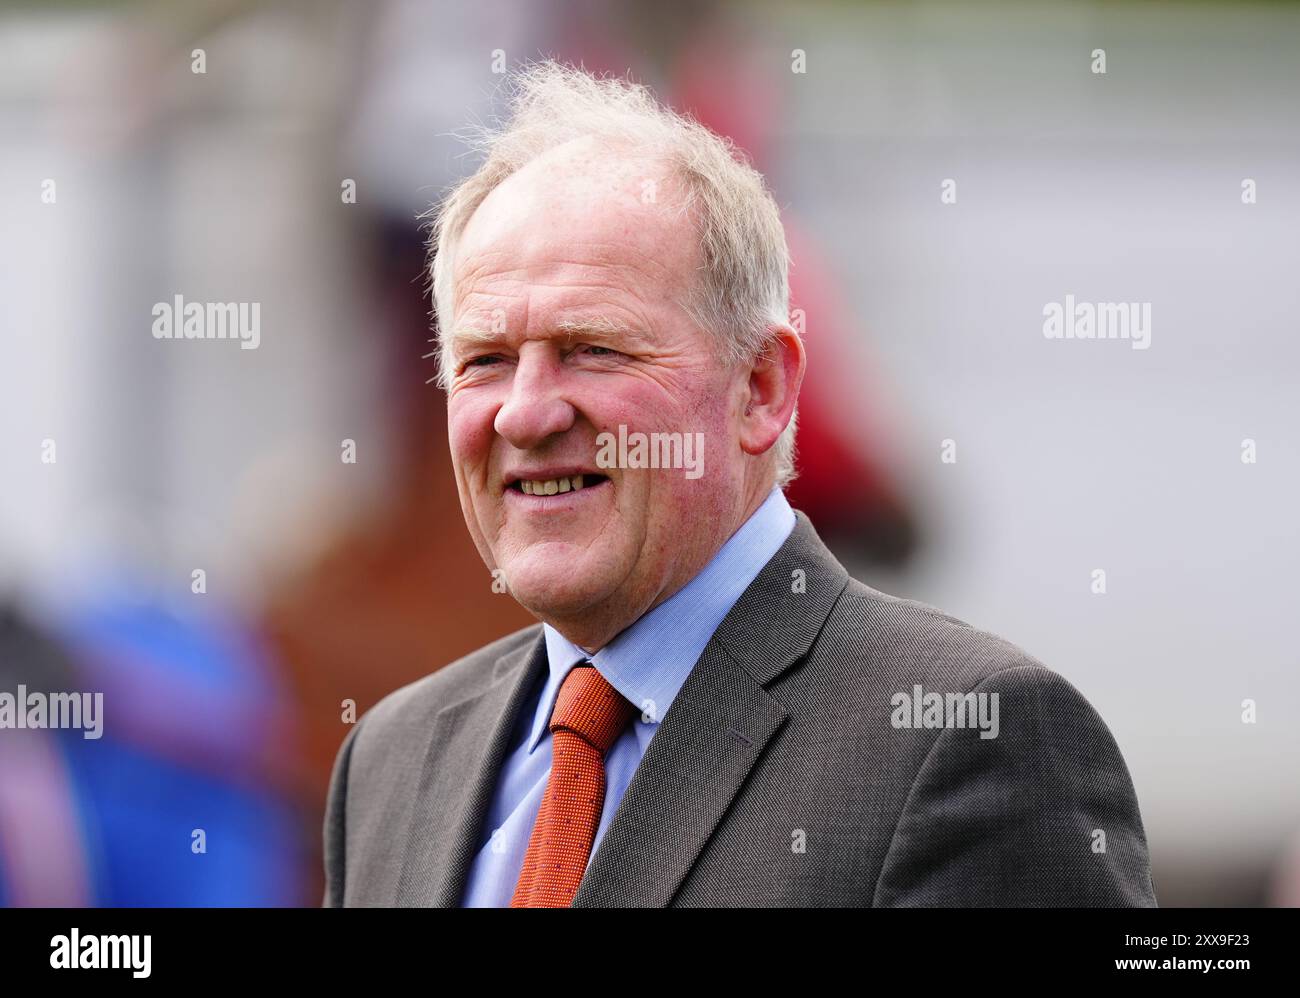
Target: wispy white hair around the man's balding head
[[744, 285]]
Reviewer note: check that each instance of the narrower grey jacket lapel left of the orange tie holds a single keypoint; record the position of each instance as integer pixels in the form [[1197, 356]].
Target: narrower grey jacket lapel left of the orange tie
[[462, 763]]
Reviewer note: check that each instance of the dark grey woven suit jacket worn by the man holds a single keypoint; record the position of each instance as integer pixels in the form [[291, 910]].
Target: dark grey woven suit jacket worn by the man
[[777, 778]]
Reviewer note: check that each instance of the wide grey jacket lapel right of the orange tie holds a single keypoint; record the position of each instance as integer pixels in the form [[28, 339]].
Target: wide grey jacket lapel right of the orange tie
[[716, 730]]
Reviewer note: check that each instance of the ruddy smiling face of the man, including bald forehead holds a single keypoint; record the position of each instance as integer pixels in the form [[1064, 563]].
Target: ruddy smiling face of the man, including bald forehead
[[566, 324]]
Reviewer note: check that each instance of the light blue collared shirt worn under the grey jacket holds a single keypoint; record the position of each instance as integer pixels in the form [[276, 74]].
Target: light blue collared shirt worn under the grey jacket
[[648, 663]]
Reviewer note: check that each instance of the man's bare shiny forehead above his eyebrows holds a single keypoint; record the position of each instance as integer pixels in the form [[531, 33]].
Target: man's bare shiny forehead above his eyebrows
[[582, 216]]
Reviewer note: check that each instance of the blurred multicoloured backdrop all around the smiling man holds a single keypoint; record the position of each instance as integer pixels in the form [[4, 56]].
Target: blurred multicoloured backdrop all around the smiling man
[[129, 465]]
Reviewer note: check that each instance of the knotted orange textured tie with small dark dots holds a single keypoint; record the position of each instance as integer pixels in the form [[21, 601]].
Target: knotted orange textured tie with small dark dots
[[590, 717]]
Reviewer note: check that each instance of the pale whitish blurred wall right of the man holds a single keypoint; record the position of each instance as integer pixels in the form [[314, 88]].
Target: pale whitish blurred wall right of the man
[[1080, 455]]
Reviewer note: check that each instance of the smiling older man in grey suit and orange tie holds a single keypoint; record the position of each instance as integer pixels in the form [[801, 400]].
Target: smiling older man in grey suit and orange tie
[[710, 711]]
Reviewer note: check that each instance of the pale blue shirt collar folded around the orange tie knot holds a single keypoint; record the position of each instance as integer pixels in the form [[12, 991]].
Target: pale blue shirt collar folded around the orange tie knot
[[651, 661]]
